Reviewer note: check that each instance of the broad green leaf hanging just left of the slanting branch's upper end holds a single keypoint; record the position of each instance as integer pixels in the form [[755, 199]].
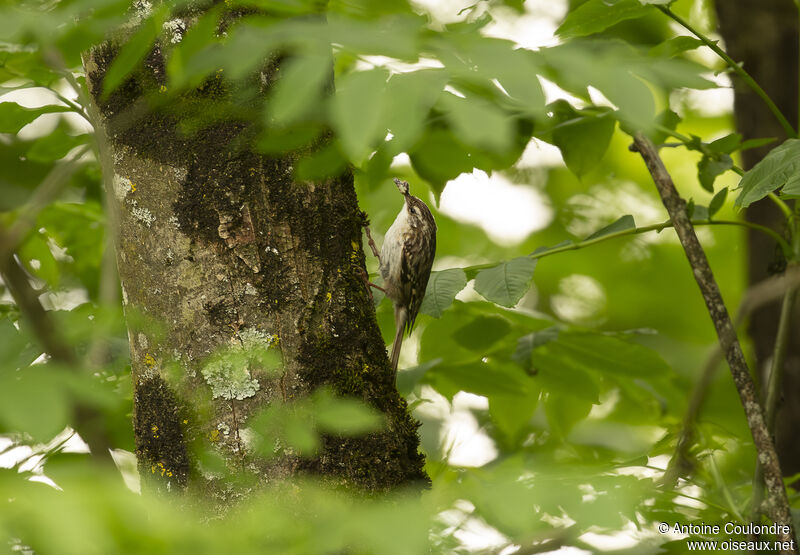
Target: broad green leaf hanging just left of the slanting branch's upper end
[[583, 141]]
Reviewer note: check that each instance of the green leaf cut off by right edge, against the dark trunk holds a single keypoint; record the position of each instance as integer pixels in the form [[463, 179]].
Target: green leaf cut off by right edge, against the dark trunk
[[773, 172]]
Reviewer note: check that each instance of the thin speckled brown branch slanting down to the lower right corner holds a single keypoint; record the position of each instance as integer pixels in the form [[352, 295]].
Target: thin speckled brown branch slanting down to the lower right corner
[[676, 207]]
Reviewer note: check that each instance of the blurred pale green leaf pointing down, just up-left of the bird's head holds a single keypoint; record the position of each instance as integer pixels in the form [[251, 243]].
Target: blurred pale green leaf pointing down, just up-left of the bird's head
[[356, 112]]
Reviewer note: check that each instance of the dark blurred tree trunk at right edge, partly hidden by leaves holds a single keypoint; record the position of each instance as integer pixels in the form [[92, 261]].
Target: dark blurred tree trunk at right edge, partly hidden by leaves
[[763, 35]]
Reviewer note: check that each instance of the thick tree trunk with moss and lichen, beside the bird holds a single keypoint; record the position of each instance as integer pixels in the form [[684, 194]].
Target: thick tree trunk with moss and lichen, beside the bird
[[218, 246]]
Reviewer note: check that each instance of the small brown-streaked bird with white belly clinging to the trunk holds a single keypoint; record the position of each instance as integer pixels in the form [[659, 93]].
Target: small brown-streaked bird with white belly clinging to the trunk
[[405, 263]]
